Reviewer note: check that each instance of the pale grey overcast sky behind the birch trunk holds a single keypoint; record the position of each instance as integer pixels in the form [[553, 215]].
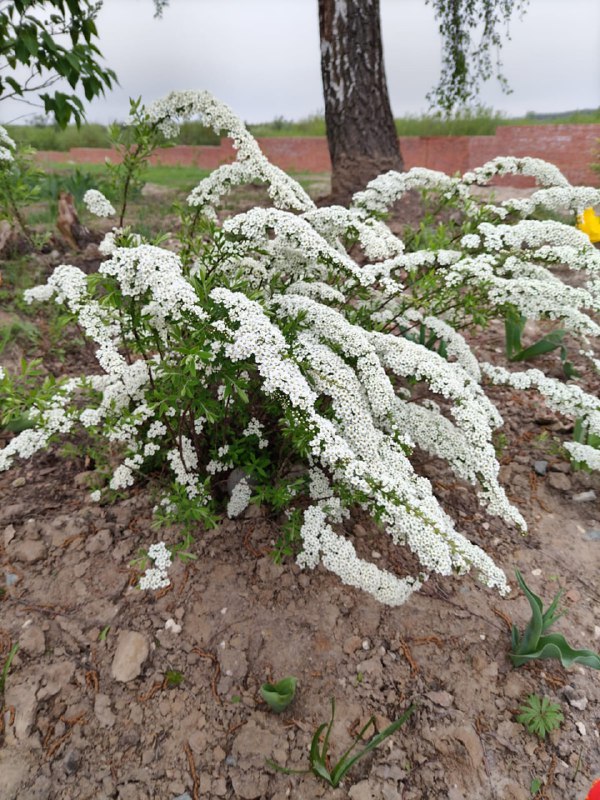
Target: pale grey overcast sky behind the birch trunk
[[262, 56]]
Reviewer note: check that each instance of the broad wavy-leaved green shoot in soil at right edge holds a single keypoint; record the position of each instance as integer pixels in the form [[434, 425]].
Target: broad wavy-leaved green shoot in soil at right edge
[[536, 643]]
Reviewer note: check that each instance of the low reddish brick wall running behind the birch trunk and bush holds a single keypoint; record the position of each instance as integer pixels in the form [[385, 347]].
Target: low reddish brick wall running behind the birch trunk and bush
[[573, 148]]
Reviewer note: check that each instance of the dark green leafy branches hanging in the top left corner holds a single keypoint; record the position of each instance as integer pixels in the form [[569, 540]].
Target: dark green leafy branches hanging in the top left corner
[[52, 40]]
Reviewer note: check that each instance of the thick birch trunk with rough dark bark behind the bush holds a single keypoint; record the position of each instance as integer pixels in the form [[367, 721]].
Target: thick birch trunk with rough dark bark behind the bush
[[360, 127]]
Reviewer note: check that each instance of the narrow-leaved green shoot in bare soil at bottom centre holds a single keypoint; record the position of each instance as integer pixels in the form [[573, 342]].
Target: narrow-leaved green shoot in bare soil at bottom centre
[[318, 756]]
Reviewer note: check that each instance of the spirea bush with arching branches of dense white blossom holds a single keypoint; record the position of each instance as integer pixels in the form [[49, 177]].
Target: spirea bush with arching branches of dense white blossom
[[296, 356]]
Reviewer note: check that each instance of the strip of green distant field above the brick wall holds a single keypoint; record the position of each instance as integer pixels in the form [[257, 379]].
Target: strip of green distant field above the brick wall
[[469, 123]]
